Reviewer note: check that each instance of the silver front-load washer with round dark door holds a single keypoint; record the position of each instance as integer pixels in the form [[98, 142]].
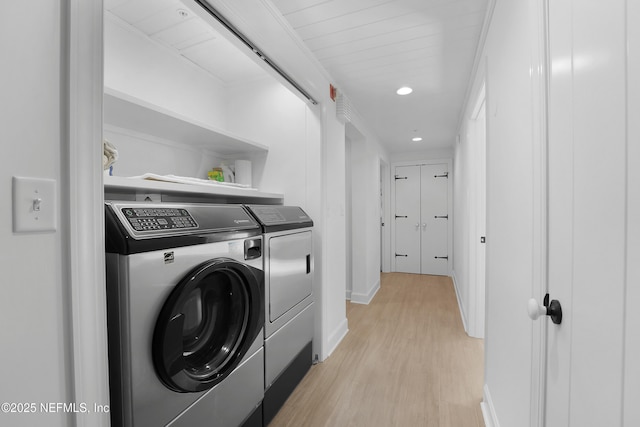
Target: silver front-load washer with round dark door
[[185, 294]]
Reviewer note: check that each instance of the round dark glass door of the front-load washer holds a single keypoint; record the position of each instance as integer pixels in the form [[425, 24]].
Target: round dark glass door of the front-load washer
[[207, 324]]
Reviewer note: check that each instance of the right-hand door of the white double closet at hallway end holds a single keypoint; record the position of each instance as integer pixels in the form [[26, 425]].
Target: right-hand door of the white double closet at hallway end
[[434, 222]]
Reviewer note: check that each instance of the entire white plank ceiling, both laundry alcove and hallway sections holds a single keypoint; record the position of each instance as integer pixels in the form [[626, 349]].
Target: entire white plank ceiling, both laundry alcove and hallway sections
[[370, 48]]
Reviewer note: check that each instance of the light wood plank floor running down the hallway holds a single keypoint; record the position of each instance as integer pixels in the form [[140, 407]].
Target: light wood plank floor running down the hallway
[[406, 361]]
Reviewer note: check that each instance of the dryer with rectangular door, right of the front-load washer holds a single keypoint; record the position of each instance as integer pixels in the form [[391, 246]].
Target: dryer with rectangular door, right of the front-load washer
[[289, 308]]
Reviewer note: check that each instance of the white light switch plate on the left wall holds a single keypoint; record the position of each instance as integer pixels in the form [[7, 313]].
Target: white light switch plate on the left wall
[[34, 205]]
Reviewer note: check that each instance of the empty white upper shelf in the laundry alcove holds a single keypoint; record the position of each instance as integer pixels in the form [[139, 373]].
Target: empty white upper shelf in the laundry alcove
[[126, 111]]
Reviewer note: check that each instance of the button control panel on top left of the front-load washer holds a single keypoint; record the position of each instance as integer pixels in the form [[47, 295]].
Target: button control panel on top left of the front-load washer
[[154, 219]]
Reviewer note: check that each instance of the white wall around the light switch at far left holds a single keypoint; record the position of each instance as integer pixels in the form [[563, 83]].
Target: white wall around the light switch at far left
[[35, 364]]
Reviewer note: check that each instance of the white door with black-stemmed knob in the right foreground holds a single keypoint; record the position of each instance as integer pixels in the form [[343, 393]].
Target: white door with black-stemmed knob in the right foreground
[[591, 197]]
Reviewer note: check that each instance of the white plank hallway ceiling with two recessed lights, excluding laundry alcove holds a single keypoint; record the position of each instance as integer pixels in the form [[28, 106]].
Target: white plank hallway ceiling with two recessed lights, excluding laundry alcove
[[373, 47]]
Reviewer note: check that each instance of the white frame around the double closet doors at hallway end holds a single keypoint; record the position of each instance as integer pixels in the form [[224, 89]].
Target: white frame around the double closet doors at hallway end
[[448, 161]]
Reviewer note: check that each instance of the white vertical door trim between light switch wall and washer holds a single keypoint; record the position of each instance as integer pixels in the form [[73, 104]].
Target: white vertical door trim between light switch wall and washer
[[83, 206]]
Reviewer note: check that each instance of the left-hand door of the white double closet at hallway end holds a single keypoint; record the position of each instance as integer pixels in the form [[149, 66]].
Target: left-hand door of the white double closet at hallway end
[[407, 218]]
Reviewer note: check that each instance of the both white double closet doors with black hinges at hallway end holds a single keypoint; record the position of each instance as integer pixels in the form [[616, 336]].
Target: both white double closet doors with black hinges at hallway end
[[422, 219]]
